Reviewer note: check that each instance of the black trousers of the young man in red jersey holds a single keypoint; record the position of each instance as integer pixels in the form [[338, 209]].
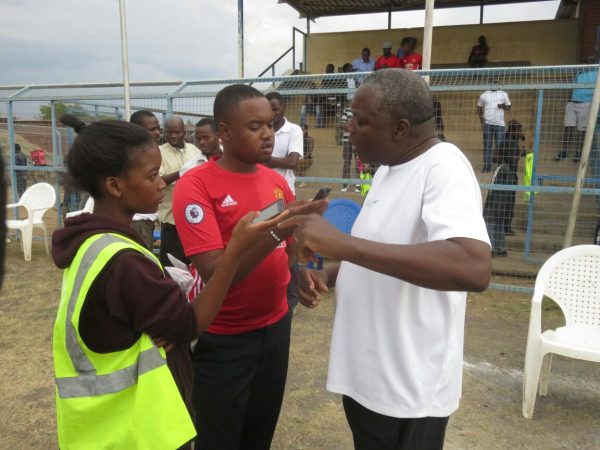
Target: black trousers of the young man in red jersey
[[239, 382]]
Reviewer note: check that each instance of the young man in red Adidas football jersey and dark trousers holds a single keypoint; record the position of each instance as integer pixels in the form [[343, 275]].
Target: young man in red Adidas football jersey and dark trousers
[[240, 363]]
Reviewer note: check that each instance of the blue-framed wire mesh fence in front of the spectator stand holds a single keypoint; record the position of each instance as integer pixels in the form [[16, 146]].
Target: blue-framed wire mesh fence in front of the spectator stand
[[533, 210]]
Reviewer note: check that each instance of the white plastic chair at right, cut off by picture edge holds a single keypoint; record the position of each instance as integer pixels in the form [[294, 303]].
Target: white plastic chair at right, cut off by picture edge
[[571, 278]]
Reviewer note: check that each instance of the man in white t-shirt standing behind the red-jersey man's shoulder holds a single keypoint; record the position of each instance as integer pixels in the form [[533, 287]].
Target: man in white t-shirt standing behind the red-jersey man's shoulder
[[289, 145]]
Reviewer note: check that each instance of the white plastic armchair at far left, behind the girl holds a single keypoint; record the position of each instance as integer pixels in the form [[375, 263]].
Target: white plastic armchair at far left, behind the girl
[[37, 199]]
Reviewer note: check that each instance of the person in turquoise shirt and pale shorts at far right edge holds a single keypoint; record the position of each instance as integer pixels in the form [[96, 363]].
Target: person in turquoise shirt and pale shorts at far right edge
[[577, 112]]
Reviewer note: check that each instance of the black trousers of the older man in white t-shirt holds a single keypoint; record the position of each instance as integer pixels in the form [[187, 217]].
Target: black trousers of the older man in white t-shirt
[[373, 431]]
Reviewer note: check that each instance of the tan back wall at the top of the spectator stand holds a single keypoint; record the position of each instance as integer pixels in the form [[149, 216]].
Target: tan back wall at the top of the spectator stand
[[541, 43]]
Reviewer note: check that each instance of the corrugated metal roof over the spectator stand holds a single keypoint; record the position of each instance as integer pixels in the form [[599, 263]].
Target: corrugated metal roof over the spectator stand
[[313, 9]]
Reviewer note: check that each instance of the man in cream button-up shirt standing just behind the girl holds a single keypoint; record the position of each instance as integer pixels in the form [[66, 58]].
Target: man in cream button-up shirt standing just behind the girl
[[178, 157]]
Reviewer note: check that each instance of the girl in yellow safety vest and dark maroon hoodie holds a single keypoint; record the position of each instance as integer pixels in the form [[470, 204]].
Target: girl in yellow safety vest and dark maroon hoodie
[[119, 313]]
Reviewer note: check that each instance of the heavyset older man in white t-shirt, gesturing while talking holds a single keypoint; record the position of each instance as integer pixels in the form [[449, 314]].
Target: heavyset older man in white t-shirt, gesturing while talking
[[418, 244]]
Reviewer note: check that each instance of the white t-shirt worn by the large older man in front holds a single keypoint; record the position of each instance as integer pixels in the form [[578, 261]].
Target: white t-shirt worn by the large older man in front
[[397, 348]]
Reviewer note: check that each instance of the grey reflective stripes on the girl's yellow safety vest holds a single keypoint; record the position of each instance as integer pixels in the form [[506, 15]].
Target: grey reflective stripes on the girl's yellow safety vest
[[88, 383]]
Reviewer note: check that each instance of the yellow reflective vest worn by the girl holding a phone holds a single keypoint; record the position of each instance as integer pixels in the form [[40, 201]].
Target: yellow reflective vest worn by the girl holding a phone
[[126, 399]]
